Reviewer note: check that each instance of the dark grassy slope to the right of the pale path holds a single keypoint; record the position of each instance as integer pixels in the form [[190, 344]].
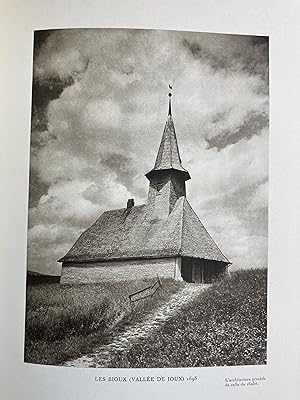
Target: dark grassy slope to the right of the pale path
[[225, 325]]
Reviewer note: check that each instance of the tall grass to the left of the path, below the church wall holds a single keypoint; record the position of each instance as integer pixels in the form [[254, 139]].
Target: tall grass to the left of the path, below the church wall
[[64, 322]]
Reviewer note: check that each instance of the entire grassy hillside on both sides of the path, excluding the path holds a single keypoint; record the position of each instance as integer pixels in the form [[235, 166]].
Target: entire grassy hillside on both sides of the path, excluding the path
[[224, 325]]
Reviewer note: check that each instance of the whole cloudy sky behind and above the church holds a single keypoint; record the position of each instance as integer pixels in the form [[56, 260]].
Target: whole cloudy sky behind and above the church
[[99, 105]]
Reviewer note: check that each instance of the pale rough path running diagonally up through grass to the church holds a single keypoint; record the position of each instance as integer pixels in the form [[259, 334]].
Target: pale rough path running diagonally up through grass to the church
[[125, 340]]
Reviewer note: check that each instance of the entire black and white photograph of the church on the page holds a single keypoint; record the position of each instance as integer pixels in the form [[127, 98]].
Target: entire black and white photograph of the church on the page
[[148, 199]]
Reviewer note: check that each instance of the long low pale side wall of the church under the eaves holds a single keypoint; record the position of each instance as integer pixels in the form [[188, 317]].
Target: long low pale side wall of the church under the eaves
[[73, 273]]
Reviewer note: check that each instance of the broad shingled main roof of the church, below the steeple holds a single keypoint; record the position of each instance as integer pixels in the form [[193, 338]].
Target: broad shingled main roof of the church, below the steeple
[[135, 233]]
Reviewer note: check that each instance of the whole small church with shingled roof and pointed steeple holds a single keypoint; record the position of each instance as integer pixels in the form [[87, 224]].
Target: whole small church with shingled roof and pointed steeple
[[163, 237]]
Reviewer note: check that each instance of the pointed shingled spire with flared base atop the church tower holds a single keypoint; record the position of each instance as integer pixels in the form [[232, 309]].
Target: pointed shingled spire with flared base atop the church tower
[[168, 157]]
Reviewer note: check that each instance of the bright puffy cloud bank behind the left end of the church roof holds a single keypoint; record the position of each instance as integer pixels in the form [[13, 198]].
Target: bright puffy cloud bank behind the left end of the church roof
[[63, 213]]
